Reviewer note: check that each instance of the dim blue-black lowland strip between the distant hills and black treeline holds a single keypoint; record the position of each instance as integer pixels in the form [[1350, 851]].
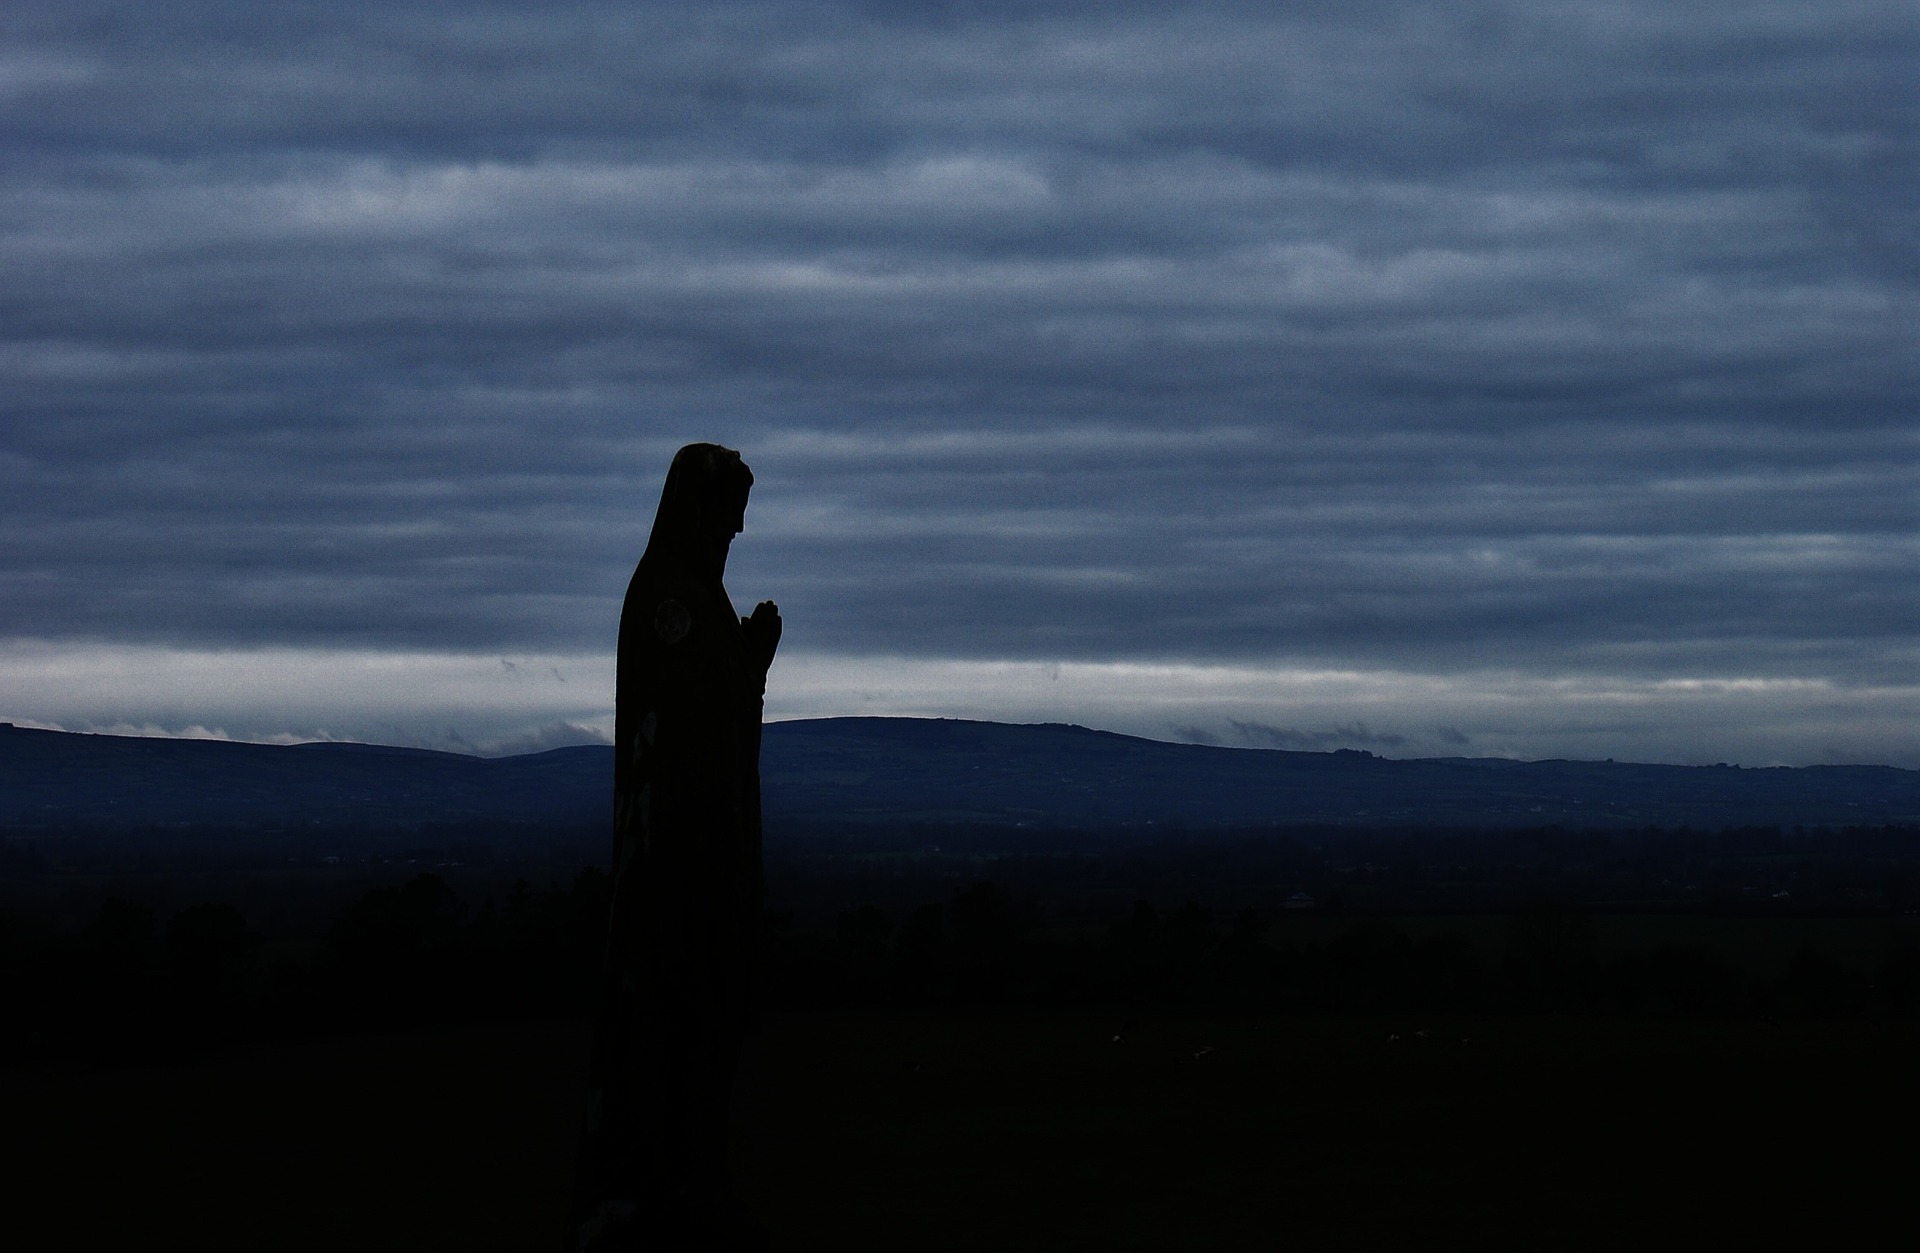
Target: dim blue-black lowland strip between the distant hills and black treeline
[[821, 870]]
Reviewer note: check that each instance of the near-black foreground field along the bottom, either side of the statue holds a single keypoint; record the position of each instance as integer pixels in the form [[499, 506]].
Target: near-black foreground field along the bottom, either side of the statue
[[946, 1131]]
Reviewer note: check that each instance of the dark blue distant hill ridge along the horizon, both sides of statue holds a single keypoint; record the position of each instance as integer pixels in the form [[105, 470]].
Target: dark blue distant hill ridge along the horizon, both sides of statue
[[919, 770]]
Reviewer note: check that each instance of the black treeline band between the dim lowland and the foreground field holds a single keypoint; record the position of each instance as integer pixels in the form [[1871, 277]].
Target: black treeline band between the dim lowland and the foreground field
[[133, 985]]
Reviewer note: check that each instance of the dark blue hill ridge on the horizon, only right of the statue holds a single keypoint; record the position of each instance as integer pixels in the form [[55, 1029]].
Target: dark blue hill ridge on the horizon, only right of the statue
[[984, 772]]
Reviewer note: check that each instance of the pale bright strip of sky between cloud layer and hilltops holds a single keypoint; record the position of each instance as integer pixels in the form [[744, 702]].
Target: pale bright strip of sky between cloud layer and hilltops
[[527, 703]]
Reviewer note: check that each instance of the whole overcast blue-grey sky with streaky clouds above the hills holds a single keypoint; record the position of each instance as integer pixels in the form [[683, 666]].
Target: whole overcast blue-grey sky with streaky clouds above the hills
[[1433, 379]]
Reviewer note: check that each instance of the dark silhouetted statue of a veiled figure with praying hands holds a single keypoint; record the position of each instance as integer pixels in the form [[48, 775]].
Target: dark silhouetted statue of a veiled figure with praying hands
[[683, 943]]
